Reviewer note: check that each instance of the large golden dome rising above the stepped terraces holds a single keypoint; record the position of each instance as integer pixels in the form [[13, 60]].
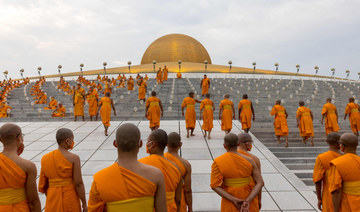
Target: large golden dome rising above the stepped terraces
[[175, 47]]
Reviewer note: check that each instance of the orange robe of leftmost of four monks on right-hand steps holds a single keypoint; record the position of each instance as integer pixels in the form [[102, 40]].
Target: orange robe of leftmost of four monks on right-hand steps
[[280, 123]]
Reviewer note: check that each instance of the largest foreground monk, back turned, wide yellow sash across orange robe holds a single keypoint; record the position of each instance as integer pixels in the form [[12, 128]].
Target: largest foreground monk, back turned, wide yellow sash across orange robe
[[128, 185]]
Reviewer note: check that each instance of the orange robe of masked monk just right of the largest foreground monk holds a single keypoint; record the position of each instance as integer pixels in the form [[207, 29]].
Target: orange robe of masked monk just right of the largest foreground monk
[[172, 177]]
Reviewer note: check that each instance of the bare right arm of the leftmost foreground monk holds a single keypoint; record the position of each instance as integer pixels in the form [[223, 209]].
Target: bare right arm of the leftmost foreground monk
[[31, 191]]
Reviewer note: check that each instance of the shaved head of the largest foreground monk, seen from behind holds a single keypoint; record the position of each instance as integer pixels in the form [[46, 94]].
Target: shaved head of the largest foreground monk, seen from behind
[[127, 137]]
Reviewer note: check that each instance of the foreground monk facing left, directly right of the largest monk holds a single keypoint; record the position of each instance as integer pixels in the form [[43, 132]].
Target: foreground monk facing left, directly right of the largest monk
[[156, 144]]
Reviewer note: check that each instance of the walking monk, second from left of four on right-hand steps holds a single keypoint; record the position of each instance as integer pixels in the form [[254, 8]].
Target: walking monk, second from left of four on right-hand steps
[[304, 121]]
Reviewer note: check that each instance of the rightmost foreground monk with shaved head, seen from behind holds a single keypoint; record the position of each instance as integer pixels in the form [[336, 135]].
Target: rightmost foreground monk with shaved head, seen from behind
[[344, 176]]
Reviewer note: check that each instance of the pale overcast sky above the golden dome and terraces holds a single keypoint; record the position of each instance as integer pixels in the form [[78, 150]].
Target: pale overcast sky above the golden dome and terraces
[[307, 32]]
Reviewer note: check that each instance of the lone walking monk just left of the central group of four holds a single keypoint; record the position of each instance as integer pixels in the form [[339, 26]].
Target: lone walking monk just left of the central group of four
[[153, 110]]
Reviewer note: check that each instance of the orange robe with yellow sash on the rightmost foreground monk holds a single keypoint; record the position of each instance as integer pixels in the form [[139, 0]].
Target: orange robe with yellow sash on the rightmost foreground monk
[[345, 172]]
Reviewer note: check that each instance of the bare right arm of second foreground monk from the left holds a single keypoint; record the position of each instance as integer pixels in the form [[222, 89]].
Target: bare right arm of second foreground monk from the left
[[78, 182]]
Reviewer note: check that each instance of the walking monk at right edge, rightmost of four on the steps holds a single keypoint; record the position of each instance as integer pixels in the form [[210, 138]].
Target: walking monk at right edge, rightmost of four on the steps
[[352, 109]]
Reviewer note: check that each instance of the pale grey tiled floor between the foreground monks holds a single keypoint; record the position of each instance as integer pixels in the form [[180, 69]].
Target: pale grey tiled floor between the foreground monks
[[283, 191]]
